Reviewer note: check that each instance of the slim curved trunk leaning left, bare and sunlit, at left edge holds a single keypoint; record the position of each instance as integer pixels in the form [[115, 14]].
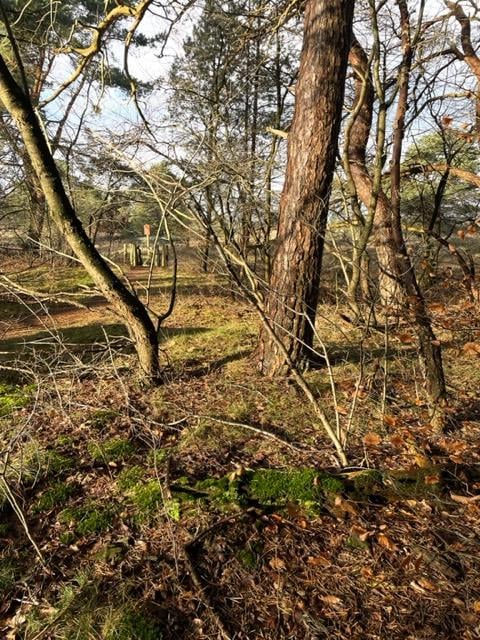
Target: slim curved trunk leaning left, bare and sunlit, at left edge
[[125, 304]]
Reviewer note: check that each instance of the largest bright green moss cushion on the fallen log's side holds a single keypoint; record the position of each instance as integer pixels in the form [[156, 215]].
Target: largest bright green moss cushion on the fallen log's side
[[275, 487]]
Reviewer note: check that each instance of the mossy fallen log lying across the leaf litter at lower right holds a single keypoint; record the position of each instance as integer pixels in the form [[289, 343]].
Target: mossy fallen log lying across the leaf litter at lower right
[[315, 491]]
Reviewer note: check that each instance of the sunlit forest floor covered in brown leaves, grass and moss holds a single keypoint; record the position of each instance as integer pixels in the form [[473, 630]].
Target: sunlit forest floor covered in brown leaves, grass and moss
[[211, 506]]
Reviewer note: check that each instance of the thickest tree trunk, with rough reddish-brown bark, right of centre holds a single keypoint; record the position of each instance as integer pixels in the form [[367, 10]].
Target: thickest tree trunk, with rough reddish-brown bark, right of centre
[[312, 145]]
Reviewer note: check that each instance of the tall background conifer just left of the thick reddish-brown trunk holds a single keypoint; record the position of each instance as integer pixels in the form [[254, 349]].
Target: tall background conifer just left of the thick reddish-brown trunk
[[229, 85]]
